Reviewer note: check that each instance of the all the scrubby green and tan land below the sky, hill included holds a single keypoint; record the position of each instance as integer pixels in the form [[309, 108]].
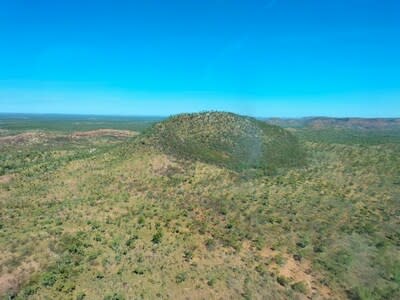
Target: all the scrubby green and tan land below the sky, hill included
[[184, 208]]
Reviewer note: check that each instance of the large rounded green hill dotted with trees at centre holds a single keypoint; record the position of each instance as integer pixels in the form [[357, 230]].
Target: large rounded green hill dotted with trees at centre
[[228, 140]]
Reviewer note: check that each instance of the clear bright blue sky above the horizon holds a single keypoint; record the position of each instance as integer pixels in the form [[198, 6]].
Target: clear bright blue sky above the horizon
[[284, 58]]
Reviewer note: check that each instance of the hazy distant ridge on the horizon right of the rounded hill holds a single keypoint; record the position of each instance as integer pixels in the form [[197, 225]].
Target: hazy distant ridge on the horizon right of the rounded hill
[[339, 123]]
